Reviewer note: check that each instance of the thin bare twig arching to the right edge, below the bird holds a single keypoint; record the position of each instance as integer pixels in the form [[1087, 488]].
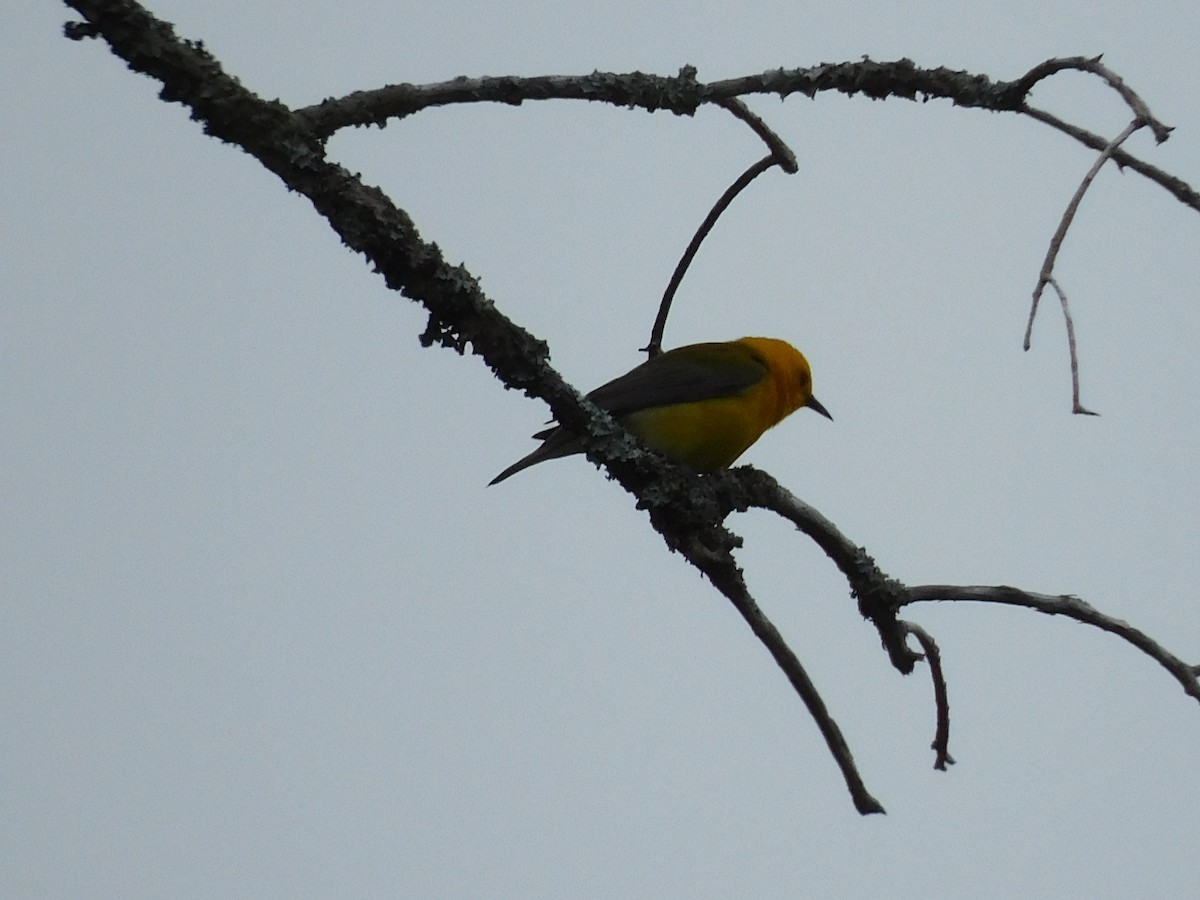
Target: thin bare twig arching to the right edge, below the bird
[[1070, 607]]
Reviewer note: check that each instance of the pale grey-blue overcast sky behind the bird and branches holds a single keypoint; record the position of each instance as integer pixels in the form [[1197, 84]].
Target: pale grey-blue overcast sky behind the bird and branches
[[266, 633]]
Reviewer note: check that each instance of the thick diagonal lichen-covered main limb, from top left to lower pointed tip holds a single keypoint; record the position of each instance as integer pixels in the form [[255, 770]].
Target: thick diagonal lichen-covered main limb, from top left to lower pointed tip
[[681, 506]]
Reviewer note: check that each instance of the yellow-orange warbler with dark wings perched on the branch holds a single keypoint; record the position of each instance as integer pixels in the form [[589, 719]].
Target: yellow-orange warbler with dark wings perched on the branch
[[703, 405]]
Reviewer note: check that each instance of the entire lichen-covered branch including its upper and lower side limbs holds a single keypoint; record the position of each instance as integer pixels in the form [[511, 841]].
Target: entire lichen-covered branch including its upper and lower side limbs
[[688, 511]]
